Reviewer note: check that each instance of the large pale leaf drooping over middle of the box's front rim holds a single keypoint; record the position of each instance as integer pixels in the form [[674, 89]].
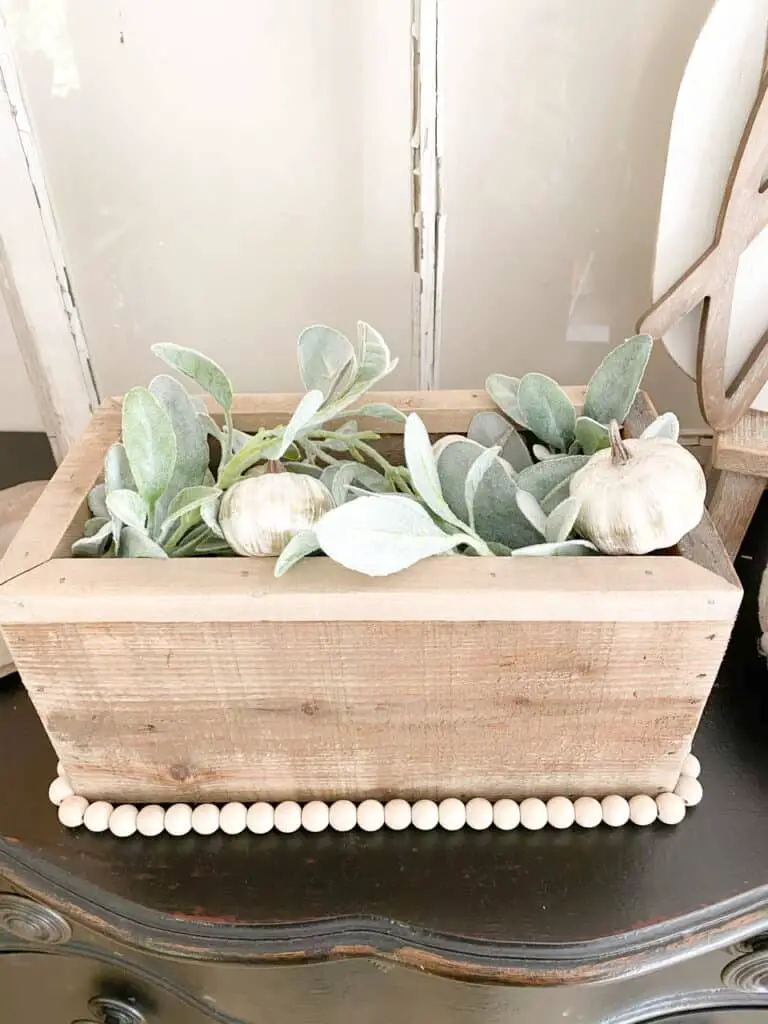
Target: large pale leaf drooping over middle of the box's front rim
[[381, 535]]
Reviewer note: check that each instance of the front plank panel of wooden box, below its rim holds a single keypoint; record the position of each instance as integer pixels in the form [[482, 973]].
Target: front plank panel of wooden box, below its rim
[[229, 711]]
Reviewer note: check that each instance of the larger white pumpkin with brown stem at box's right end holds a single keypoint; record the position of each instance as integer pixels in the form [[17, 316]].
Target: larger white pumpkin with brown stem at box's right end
[[639, 496]]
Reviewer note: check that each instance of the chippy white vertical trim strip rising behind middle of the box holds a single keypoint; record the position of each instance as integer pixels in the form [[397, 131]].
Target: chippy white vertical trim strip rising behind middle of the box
[[428, 200]]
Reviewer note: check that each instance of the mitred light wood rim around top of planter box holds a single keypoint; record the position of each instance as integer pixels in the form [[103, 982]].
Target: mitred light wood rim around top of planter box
[[41, 583]]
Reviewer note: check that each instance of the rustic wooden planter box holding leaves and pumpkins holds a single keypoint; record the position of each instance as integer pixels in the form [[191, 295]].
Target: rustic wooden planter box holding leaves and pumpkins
[[211, 680]]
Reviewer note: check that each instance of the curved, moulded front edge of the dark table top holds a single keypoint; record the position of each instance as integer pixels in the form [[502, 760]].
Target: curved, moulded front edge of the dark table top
[[187, 937]]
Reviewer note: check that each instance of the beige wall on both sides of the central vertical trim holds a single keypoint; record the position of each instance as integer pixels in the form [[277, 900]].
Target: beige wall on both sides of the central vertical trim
[[226, 175]]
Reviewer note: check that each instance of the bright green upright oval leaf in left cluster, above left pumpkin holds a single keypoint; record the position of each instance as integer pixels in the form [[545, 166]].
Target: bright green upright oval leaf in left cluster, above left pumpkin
[[150, 443]]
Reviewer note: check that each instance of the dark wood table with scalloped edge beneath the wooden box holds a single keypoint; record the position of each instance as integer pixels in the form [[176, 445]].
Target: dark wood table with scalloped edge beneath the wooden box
[[369, 928]]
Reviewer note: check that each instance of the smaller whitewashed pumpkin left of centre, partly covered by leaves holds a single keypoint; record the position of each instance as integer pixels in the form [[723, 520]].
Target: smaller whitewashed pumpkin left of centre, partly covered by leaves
[[261, 515]]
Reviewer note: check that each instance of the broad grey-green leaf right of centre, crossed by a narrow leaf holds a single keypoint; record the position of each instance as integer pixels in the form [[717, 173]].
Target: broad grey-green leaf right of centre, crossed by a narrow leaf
[[498, 519]]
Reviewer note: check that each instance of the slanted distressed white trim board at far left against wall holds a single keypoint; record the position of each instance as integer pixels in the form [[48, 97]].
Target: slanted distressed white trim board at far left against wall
[[34, 282]]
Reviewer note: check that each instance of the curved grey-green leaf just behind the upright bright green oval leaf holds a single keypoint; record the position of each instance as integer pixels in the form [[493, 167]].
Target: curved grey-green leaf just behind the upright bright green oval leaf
[[192, 447]]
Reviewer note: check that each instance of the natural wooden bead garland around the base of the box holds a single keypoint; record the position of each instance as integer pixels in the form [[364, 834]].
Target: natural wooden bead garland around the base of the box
[[451, 815]]
